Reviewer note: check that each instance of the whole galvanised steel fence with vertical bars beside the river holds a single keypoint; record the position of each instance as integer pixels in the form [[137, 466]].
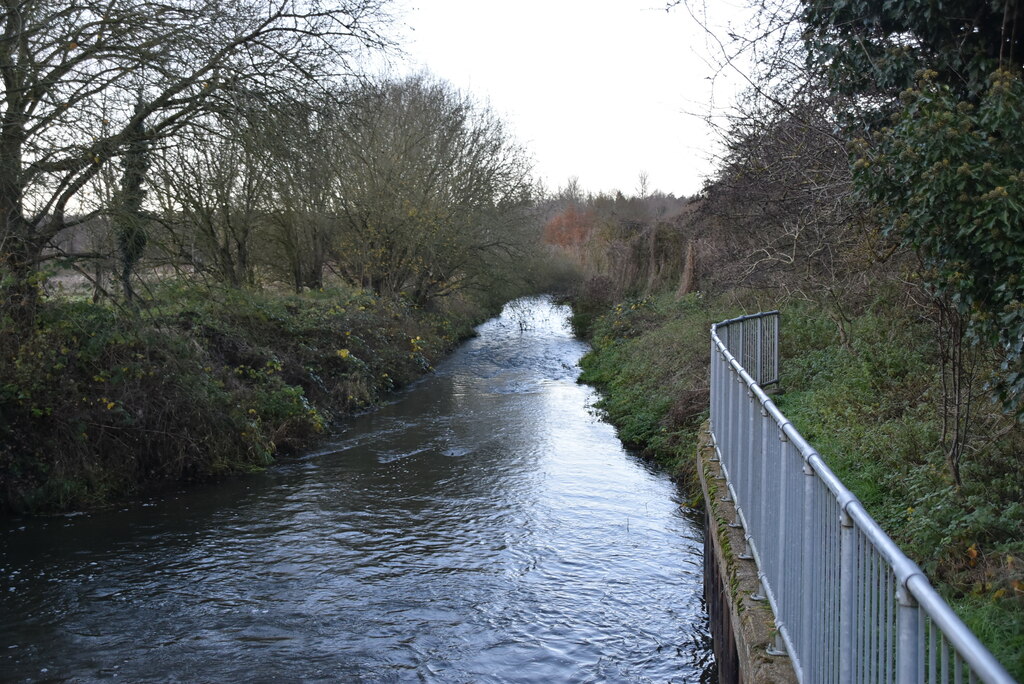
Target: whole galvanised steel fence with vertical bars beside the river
[[849, 606]]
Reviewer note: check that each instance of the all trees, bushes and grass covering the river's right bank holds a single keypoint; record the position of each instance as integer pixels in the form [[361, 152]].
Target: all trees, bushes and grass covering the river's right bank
[[872, 188]]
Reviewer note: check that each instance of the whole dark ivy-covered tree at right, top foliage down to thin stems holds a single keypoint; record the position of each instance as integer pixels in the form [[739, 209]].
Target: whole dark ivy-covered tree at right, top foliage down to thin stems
[[931, 93]]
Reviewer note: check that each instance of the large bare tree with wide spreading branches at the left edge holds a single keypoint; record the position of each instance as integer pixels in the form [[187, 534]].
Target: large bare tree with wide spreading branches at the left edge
[[83, 81]]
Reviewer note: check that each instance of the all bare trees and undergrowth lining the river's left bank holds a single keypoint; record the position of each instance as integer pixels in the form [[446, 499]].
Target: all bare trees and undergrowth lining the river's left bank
[[211, 252]]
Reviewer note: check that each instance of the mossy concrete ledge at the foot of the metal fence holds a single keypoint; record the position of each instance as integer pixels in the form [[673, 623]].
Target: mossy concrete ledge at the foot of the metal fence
[[743, 628]]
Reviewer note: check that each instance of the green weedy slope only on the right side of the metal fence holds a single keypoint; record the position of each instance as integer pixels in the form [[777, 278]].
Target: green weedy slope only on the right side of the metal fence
[[873, 408]]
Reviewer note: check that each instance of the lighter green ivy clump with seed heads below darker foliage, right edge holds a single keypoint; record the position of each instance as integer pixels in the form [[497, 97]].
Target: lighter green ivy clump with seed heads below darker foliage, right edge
[[949, 181]]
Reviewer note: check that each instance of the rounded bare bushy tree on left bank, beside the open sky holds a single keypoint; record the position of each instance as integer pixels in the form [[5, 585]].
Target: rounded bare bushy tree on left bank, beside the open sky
[[431, 187]]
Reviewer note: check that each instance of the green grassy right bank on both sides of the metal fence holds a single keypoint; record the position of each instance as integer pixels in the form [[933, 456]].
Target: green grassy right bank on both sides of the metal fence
[[872, 406]]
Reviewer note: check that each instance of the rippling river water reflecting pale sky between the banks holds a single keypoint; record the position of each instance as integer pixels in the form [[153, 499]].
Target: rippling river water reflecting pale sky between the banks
[[487, 527]]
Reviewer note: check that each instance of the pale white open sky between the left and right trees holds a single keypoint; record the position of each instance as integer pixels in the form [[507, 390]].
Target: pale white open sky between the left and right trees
[[600, 91]]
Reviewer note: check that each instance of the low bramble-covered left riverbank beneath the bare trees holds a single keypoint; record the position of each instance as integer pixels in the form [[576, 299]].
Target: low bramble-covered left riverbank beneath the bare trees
[[99, 404]]
